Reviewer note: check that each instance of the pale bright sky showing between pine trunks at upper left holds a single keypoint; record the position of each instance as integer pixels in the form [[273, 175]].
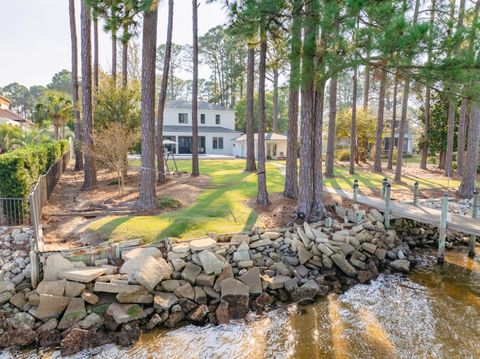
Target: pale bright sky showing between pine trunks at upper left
[[35, 36]]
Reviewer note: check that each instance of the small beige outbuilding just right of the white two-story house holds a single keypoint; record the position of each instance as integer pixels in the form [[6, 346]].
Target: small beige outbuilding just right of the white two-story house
[[275, 146]]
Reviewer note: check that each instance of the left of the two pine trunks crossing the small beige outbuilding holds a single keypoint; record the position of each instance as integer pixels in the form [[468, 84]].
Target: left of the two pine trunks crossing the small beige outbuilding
[[250, 165]]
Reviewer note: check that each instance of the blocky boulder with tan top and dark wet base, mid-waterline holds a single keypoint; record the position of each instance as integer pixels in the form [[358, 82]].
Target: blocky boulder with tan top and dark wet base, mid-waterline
[[236, 294]]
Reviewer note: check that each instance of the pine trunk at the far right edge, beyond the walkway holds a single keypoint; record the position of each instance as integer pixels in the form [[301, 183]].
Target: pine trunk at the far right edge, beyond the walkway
[[467, 187]]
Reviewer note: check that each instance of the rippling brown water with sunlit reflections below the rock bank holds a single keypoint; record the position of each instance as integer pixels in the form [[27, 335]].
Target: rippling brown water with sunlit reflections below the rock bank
[[432, 313]]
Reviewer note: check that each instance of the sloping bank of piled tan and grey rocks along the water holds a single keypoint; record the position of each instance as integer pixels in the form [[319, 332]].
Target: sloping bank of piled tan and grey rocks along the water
[[209, 280]]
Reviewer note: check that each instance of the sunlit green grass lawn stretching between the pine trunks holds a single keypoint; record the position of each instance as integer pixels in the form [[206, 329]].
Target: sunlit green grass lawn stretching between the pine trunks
[[222, 208]]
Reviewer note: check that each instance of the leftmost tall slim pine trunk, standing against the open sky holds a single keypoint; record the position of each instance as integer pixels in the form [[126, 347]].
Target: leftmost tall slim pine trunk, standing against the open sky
[[76, 112]]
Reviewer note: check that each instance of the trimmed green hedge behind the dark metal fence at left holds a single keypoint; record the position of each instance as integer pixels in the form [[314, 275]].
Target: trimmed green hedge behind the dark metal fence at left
[[21, 168]]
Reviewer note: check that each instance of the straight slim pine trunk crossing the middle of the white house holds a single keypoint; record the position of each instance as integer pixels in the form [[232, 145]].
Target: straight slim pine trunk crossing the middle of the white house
[[195, 169]]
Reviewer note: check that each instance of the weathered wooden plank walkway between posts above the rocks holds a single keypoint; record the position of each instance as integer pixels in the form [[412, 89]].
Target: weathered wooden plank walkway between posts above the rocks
[[455, 222]]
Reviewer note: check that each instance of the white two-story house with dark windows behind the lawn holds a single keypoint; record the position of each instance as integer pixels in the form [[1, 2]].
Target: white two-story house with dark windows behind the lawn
[[216, 128]]
